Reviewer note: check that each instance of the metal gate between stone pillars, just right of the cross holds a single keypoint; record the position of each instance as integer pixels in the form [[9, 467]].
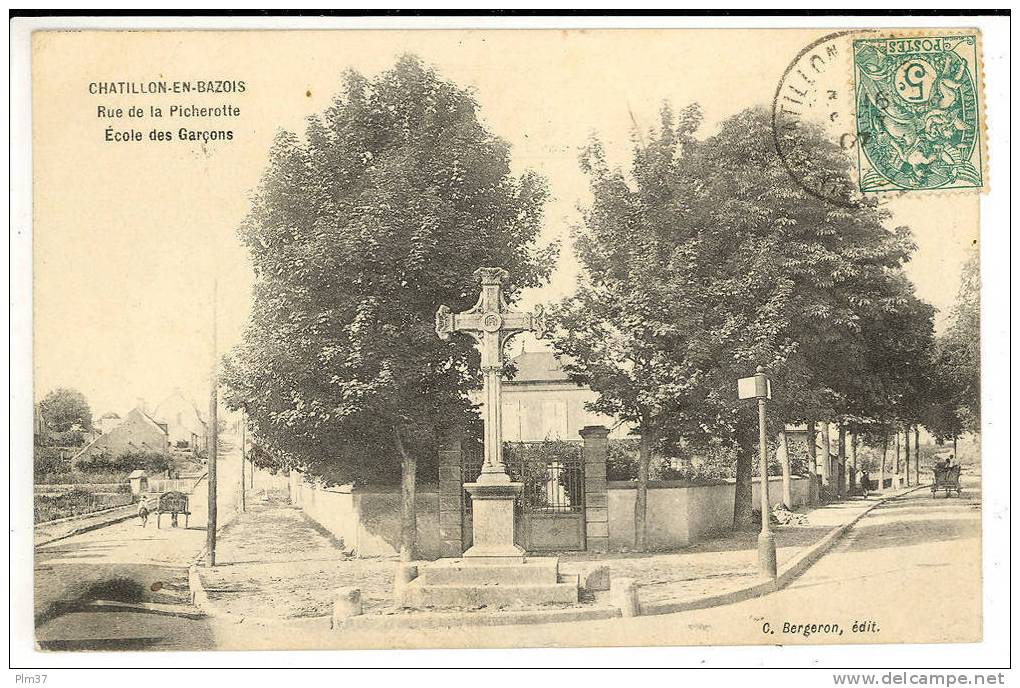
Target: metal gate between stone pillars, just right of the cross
[[551, 507]]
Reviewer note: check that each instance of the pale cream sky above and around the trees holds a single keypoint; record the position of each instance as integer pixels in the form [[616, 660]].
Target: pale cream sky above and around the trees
[[129, 236]]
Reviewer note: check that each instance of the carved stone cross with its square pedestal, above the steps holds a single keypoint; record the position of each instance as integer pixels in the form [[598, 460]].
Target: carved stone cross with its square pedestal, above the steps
[[492, 325]]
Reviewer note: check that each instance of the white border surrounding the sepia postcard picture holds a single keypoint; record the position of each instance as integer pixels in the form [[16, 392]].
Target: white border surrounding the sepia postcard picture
[[996, 255]]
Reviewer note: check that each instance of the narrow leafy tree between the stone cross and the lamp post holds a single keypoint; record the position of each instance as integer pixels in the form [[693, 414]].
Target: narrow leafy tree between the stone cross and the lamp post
[[620, 329]]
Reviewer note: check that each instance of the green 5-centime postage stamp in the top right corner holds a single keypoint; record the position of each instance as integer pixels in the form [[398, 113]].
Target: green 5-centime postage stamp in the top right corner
[[919, 113]]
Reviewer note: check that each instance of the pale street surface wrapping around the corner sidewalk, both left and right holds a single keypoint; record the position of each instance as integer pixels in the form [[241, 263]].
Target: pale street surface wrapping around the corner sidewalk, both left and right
[[911, 569]]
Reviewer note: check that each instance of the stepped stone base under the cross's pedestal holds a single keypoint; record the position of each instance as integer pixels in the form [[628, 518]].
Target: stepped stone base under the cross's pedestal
[[492, 583]]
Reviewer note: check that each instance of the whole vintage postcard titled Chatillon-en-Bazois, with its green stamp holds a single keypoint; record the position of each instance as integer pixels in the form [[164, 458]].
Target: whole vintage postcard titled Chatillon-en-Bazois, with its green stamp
[[532, 338]]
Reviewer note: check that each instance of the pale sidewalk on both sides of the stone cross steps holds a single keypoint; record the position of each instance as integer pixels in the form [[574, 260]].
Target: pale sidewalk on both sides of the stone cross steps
[[274, 563]]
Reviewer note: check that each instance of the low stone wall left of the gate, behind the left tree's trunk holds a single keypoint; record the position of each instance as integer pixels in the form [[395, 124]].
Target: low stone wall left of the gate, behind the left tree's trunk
[[368, 519]]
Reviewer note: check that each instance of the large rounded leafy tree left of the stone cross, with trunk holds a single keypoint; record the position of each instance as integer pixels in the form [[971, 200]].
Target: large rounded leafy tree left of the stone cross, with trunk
[[358, 234]]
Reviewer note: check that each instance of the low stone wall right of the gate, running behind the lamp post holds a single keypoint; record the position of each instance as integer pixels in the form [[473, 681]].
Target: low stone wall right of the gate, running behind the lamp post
[[681, 514]]
